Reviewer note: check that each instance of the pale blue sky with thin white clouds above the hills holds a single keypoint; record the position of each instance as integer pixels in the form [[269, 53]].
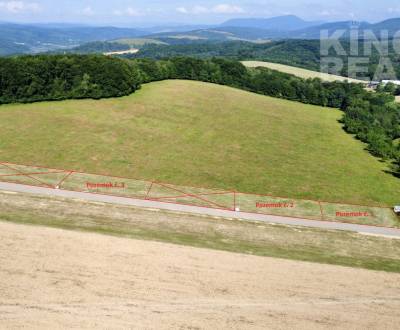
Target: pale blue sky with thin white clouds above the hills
[[150, 12]]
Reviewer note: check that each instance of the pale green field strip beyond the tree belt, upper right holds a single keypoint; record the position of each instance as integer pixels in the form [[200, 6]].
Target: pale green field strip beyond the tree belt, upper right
[[299, 72]]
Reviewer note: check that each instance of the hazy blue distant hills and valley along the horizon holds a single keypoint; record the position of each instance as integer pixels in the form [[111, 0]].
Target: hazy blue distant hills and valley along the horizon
[[36, 38]]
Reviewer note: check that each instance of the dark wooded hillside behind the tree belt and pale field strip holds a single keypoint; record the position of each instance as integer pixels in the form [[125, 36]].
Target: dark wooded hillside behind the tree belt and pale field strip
[[301, 53]]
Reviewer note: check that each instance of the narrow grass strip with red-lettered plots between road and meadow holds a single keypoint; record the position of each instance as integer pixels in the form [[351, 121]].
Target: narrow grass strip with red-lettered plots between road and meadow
[[211, 198]]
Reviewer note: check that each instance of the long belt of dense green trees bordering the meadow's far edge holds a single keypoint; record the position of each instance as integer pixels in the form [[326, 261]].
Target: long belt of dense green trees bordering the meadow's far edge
[[373, 117]]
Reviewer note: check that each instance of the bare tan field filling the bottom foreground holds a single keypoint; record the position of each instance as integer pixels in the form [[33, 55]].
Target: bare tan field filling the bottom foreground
[[52, 278]]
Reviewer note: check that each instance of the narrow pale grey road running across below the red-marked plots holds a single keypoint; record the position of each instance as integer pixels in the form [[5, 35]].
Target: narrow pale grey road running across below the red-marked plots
[[392, 232]]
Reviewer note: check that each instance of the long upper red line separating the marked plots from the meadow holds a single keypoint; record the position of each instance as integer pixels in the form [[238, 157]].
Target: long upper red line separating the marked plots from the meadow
[[242, 193]]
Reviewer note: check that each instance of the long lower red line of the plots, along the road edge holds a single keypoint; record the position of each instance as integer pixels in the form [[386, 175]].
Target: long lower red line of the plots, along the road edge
[[205, 207]]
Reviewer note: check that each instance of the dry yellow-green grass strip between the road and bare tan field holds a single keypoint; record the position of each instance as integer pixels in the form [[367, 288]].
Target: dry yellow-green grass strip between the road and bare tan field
[[297, 243]]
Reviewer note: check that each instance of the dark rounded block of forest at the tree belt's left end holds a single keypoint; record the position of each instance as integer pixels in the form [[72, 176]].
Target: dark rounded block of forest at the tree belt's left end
[[38, 78]]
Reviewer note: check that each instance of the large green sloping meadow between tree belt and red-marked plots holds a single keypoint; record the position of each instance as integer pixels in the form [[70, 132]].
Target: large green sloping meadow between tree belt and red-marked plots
[[192, 133]]
